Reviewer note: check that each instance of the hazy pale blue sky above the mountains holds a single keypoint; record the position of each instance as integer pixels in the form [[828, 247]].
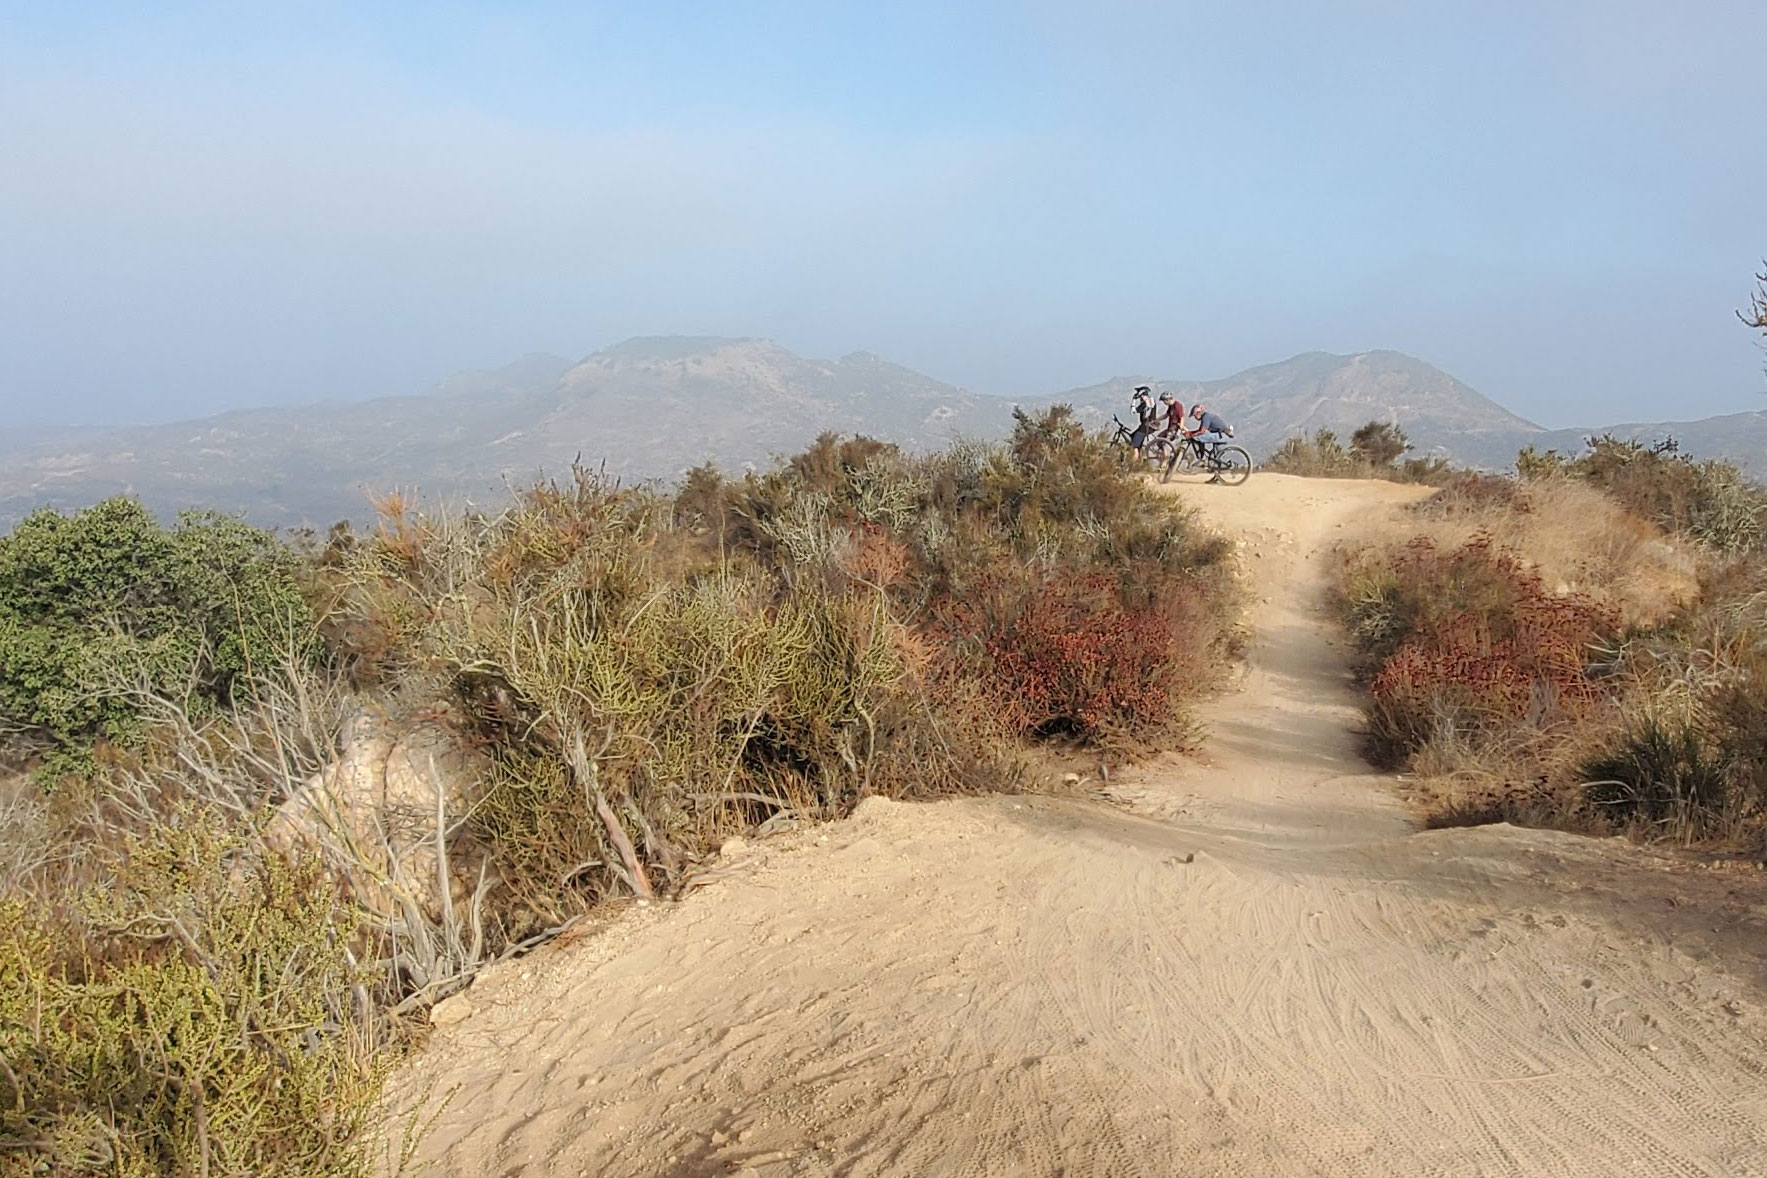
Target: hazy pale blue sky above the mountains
[[209, 206]]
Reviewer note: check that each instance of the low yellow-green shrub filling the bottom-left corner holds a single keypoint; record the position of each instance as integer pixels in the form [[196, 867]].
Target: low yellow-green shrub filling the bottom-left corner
[[195, 1013]]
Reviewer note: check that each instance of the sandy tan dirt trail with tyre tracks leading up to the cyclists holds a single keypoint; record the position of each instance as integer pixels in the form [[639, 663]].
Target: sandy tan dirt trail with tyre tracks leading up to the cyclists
[[1250, 967]]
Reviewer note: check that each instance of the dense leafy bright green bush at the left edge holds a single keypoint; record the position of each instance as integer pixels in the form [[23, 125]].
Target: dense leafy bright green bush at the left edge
[[107, 600]]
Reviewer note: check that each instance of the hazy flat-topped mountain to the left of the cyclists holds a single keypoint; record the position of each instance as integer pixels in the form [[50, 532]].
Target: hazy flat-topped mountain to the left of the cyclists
[[644, 409]]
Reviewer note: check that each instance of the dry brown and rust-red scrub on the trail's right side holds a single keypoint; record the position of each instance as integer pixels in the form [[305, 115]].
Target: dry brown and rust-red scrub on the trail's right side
[[1543, 654]]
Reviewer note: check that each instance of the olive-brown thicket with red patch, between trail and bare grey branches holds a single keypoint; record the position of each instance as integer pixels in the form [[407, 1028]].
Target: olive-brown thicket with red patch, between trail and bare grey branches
[[651, 676]]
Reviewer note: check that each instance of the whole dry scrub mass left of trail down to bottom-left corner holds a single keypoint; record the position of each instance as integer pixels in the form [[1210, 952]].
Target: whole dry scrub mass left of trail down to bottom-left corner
[[190, 988]]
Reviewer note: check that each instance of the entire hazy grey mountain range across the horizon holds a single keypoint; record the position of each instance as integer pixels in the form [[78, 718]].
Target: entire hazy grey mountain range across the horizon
[[656, 407]]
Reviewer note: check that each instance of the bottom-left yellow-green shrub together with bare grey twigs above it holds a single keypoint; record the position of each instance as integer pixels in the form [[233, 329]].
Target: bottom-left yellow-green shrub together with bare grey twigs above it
[[178, 997]]
